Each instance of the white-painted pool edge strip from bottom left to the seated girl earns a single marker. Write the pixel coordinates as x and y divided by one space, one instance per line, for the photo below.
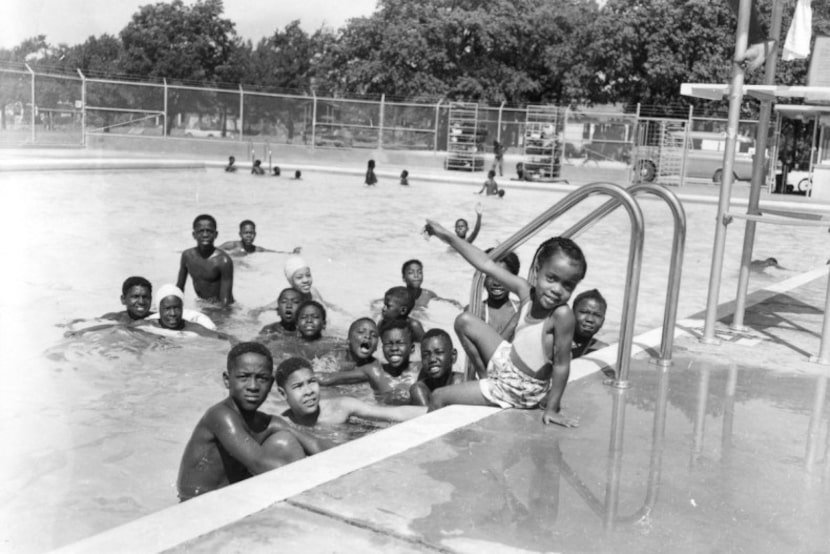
172 526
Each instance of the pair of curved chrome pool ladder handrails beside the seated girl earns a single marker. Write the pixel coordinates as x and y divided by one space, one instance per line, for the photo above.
624 197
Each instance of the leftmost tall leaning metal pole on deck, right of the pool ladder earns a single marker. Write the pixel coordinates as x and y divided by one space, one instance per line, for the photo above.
735 98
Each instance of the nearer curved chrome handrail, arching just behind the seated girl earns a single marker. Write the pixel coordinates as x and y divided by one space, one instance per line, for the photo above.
635 254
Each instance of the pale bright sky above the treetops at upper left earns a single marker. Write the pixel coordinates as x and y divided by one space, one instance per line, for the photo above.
72 21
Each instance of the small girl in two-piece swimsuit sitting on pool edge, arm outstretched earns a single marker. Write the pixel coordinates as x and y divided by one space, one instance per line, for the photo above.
533 369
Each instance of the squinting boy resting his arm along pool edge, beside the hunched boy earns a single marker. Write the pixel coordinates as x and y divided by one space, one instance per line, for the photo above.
299 386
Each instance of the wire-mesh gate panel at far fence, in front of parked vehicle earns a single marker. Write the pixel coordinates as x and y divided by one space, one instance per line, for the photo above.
659 150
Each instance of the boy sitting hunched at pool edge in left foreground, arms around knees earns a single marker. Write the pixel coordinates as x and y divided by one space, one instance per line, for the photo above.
234 440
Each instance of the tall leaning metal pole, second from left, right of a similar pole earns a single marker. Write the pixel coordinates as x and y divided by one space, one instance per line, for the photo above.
758 167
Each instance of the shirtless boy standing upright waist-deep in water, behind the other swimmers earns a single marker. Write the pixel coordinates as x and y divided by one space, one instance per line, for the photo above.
210 268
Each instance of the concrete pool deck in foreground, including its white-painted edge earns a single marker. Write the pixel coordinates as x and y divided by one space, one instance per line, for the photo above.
726 450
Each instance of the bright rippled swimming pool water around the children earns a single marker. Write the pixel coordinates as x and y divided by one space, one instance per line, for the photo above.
96 437
